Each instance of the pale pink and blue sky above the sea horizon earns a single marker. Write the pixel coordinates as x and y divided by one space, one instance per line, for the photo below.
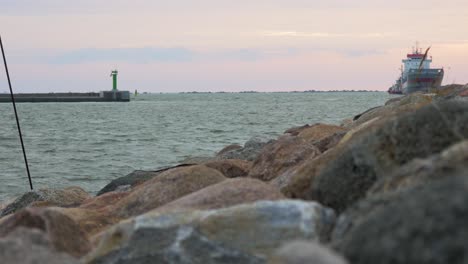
225 45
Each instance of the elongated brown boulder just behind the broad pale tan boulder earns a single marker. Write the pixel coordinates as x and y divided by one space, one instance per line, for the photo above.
168 186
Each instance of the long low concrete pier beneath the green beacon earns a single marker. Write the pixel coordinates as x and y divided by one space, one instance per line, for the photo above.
103 96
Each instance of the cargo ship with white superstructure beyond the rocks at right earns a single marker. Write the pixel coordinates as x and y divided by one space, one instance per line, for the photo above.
417 75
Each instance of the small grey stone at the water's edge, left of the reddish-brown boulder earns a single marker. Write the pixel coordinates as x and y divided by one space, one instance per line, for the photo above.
249 152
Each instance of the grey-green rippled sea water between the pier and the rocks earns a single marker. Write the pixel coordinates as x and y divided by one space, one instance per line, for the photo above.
89 144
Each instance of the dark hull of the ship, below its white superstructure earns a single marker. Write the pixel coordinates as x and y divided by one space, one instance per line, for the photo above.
426 80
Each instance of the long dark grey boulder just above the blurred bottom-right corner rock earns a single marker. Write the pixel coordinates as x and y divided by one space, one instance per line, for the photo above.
400 140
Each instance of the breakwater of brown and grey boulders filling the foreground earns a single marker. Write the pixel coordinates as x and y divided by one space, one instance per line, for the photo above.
389 185
